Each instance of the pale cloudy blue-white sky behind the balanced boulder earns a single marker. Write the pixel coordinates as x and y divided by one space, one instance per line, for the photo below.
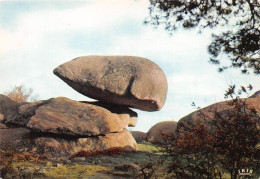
37 36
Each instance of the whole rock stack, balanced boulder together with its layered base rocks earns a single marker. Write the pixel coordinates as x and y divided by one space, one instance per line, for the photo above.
63 127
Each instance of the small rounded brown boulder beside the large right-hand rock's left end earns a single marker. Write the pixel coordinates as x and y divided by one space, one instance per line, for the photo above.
161 131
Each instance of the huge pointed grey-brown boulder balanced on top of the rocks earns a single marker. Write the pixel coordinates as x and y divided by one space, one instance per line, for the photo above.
126 80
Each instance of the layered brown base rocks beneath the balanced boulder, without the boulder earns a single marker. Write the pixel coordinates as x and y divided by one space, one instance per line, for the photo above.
61 127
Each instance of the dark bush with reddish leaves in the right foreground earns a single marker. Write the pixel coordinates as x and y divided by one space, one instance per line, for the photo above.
218 144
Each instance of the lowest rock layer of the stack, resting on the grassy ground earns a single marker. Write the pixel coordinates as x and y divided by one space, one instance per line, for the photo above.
23 140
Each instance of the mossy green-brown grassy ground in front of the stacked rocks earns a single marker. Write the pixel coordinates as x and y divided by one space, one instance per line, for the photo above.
29 166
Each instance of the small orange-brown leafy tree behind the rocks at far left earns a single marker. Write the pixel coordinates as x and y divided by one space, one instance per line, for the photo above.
21 94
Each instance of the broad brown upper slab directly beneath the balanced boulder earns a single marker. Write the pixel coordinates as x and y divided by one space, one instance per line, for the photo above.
64 116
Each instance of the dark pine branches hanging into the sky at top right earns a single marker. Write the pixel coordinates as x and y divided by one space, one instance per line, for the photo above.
238 24
